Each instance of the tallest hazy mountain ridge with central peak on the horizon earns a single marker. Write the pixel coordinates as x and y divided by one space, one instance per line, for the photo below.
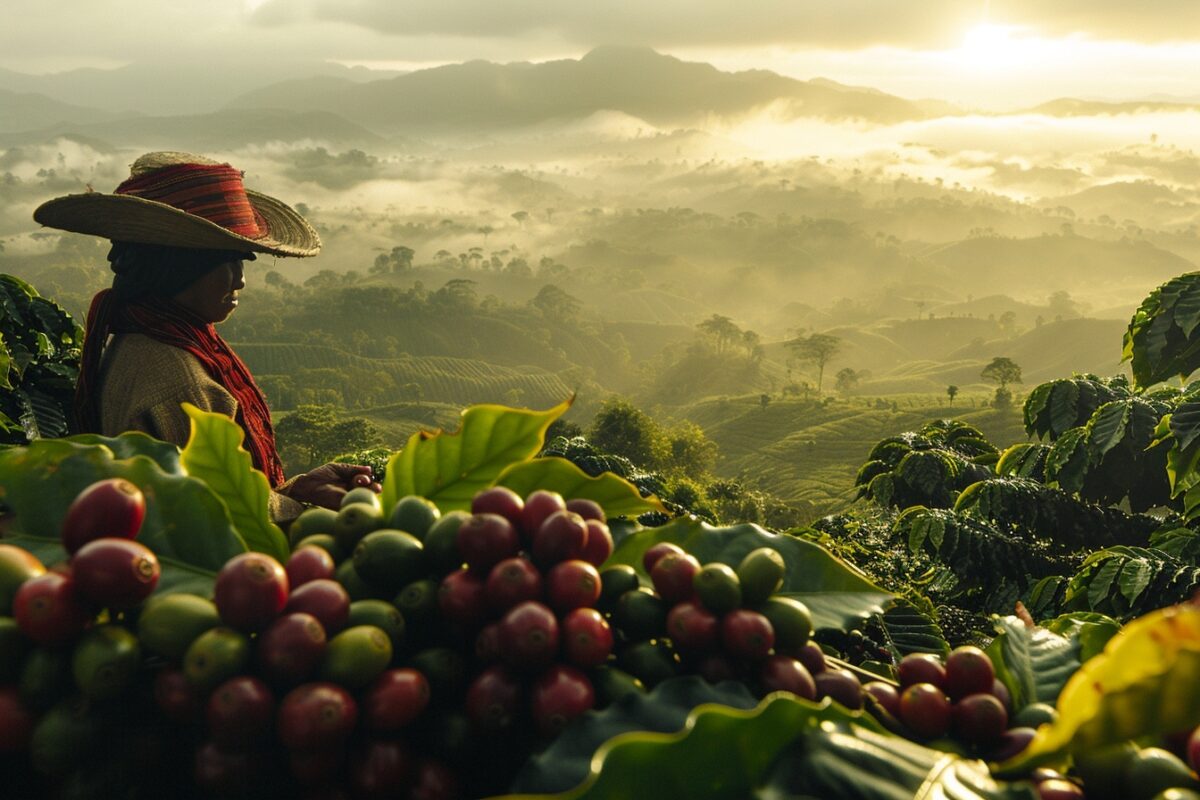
661 89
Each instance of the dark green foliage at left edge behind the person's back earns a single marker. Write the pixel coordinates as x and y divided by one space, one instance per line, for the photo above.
40 347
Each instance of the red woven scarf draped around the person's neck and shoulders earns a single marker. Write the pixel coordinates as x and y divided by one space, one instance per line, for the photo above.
170 323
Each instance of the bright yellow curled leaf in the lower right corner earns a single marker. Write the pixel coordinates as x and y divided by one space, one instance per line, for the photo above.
1145 683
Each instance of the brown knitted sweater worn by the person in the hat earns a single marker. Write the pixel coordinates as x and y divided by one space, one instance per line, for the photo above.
142 384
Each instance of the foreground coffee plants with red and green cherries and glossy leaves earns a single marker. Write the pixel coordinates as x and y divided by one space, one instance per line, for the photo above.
500 623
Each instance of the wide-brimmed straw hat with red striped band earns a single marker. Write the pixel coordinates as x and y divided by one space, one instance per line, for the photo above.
185 201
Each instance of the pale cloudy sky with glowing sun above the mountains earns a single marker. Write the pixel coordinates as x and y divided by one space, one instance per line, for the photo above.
988 55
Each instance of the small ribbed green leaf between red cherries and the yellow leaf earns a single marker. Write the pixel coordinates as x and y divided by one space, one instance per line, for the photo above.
1034 664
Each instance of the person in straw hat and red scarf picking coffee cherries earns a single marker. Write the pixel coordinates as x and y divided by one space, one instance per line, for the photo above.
183 227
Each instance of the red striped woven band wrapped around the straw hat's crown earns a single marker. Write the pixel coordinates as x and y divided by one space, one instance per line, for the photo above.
211 191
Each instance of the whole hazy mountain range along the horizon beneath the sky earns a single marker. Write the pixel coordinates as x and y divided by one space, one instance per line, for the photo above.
476 98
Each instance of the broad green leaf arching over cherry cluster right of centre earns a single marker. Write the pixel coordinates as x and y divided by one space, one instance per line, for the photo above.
836 593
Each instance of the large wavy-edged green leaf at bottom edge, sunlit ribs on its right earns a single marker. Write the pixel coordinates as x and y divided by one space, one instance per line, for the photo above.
784 748
